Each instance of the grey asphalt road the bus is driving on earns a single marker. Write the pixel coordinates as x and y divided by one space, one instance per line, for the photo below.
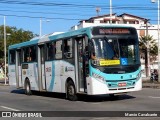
15 100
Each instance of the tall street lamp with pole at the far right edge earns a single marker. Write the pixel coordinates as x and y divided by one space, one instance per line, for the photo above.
153 1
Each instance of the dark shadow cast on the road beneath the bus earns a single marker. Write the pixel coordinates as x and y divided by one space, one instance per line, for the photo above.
83 98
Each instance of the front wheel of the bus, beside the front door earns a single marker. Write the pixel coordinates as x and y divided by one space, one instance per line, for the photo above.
71 91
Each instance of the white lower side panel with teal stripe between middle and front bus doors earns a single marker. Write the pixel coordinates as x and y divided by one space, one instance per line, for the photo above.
57 73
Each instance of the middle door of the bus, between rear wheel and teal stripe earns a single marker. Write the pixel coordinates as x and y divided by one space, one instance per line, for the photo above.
41 61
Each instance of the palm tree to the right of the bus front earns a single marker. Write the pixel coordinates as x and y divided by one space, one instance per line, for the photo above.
152 49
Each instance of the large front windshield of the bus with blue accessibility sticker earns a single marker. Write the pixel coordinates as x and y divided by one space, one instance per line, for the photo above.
116 48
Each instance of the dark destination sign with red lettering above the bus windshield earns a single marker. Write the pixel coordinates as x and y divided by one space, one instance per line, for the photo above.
111 31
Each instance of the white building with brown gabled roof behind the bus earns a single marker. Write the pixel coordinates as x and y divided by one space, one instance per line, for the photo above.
142 25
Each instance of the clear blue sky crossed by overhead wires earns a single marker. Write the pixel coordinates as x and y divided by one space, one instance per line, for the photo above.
63 14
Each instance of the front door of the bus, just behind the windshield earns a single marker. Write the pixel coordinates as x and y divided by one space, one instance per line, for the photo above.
81 66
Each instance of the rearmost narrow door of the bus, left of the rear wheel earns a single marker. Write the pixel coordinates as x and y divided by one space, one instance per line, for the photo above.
18 68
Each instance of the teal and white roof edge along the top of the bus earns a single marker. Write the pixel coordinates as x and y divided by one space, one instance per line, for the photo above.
61 35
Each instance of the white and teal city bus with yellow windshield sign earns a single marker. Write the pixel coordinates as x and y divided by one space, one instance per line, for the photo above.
95 60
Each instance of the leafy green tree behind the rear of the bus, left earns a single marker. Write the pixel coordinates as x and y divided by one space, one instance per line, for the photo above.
15 36
